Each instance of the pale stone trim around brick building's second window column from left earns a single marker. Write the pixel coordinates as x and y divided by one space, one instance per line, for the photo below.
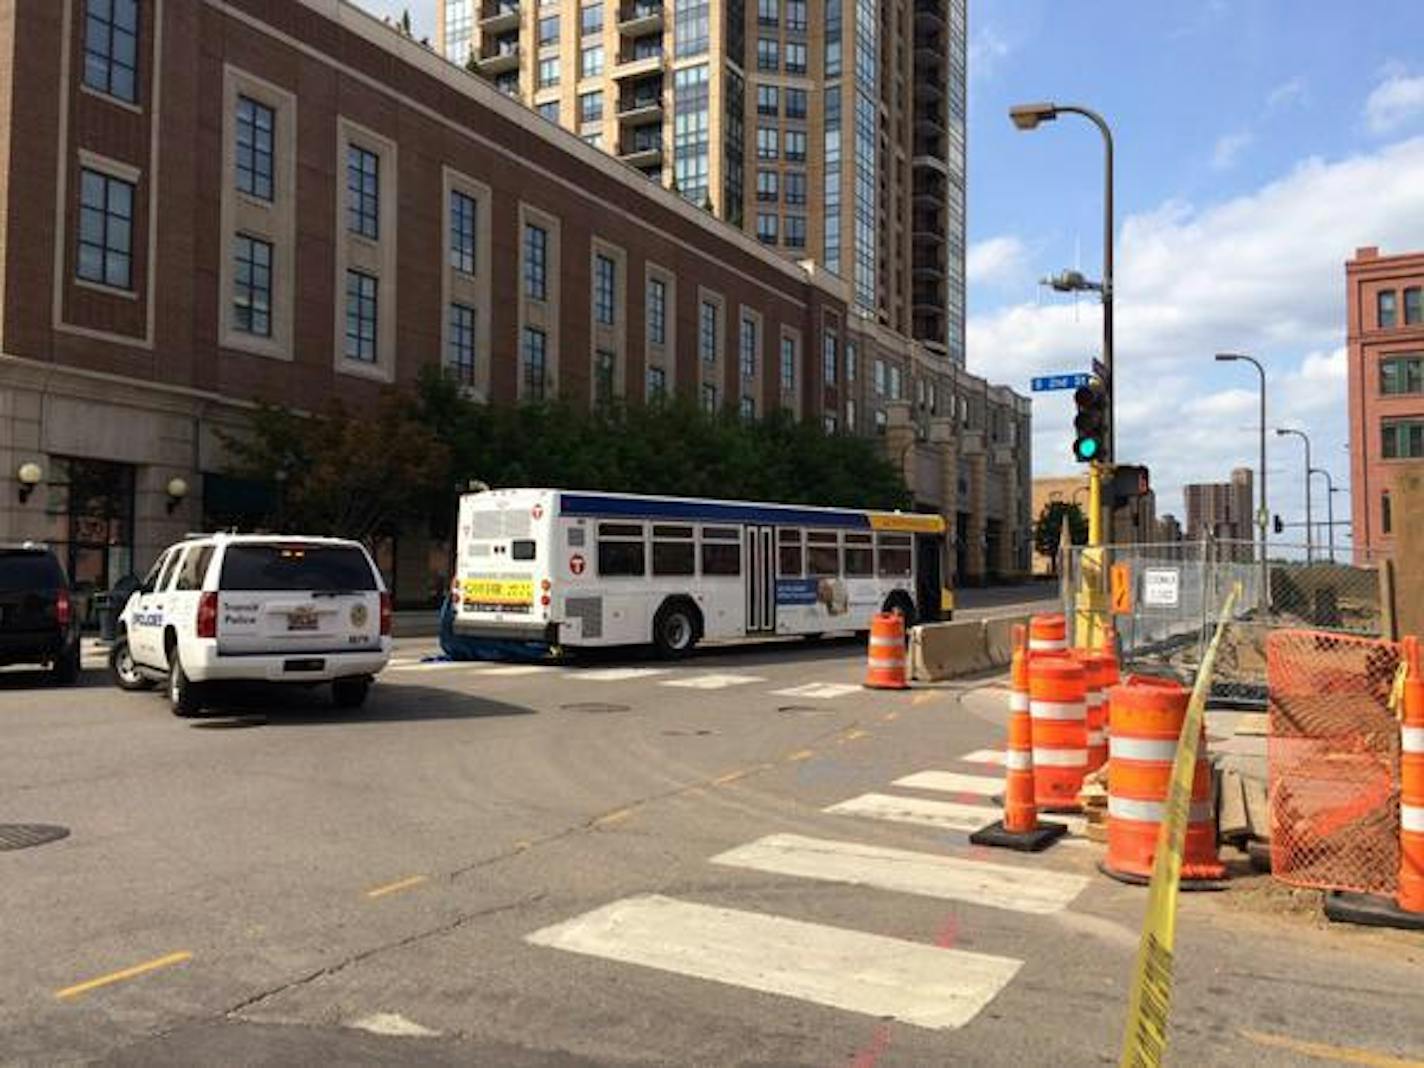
271 221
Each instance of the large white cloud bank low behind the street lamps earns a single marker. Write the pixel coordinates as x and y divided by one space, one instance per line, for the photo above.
1260 274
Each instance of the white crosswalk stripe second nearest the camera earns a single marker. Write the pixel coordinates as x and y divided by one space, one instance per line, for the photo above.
998 886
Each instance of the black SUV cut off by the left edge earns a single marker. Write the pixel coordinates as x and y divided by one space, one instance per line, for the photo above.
38 619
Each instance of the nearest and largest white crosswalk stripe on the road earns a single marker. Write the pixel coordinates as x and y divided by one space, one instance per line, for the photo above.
862 973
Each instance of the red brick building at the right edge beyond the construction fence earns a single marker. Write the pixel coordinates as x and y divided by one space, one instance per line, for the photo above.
1385 298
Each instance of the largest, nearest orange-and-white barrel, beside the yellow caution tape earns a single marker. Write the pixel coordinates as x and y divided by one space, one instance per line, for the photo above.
1147 724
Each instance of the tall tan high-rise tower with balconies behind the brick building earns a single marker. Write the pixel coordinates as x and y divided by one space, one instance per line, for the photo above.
831 130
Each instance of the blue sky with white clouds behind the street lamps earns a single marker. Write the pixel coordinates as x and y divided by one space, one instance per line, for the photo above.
1258 142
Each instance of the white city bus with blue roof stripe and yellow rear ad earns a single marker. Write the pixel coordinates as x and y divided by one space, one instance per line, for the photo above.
576 569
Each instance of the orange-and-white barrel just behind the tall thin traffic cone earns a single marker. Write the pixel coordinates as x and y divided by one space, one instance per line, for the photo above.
1059 710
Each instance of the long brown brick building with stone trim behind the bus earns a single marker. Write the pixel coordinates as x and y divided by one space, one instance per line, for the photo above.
211 203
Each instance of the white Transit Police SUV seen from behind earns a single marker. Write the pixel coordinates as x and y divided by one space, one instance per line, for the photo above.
254 607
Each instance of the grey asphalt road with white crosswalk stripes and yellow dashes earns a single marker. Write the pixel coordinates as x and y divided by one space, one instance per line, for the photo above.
612 864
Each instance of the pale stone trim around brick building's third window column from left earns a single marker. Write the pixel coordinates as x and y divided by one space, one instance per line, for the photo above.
370 257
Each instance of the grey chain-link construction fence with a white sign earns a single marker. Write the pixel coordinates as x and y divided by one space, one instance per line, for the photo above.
1164 600
